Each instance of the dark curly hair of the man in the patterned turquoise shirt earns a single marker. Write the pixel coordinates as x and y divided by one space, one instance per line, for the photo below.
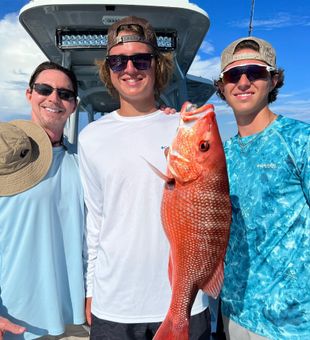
272 96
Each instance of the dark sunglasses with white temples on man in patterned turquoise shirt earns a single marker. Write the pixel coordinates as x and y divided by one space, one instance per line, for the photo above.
252 71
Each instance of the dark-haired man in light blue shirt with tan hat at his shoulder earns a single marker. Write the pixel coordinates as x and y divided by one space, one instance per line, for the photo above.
41 216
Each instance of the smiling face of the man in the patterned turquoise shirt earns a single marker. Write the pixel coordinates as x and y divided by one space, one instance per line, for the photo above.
248 97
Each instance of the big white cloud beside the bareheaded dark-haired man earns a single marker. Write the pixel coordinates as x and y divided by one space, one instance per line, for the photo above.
18 58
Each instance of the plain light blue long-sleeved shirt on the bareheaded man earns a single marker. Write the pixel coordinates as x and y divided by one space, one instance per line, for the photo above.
41 237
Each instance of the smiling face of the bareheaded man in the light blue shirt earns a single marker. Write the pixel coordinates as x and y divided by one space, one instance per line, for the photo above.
50 111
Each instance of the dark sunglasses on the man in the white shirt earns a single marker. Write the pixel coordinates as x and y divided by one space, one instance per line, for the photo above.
141 61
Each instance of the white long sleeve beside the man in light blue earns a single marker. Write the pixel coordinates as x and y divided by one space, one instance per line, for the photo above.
93 211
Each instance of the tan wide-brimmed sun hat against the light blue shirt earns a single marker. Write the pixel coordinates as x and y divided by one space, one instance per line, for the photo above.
25 156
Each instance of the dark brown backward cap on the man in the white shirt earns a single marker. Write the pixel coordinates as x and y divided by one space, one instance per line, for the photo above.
149 36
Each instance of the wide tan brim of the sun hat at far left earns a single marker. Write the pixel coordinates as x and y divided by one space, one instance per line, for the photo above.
41 159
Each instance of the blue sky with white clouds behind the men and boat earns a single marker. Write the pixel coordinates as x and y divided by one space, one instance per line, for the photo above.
284 23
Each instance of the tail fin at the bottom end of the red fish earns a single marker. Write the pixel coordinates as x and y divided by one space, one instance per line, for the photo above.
170 331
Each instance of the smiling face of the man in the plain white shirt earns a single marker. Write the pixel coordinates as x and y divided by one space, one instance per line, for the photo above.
134 86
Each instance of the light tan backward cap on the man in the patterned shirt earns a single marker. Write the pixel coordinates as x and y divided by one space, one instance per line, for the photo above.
266 53
